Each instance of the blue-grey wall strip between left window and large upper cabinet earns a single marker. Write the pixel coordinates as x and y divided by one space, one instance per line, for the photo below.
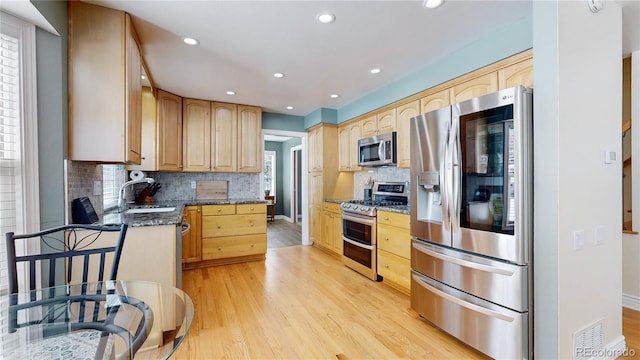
51 73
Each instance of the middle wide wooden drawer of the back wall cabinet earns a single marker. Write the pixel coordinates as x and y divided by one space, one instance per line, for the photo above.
230 225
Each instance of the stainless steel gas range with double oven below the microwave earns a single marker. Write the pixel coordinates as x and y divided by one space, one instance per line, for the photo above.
359 239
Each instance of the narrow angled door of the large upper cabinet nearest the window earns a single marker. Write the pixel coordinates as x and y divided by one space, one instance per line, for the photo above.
133 89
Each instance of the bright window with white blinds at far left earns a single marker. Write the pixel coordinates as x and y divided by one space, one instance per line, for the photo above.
19 195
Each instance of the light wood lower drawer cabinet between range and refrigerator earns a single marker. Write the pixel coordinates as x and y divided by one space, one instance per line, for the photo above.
394 250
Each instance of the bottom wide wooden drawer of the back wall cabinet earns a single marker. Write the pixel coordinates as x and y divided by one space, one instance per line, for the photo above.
234 246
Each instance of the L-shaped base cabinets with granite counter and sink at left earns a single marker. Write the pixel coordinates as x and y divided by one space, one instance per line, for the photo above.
153 248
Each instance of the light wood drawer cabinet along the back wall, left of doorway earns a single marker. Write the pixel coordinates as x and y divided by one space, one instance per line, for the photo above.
231 233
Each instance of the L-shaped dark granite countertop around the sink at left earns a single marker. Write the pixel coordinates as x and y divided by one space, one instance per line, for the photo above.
164 218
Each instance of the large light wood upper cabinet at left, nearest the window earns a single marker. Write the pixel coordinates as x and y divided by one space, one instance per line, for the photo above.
104 85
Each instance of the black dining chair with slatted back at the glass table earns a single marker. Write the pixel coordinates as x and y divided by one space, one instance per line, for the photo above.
74 253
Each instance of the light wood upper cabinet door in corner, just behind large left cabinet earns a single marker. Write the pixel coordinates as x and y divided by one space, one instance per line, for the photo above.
149 130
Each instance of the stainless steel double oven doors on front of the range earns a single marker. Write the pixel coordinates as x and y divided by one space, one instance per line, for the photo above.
359 244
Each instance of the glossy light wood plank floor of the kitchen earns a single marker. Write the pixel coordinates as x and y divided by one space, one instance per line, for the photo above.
302 303
